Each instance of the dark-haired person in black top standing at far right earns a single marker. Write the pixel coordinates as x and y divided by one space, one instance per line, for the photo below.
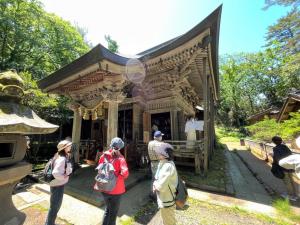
281 151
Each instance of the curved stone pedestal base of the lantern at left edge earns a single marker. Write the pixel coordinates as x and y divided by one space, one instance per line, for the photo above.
9 176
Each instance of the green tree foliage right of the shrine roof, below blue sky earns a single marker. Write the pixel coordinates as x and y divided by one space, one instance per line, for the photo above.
253 82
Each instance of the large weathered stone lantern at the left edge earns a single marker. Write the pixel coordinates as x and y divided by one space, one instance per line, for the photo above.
16 120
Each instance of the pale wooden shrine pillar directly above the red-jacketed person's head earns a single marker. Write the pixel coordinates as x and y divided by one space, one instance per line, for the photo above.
112 121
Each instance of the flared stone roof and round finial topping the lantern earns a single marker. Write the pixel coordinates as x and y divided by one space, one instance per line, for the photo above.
16 118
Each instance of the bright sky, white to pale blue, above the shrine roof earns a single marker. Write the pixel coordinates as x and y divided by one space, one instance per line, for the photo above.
139 24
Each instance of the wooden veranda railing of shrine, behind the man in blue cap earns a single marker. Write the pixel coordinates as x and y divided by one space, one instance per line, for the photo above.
181 152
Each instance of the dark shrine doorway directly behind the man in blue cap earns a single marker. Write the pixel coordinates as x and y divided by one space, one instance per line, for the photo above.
163 122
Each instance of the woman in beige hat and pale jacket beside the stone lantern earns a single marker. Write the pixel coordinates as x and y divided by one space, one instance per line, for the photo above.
61 172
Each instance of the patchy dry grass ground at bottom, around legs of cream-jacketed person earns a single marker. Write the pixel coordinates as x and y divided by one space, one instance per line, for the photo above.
205 213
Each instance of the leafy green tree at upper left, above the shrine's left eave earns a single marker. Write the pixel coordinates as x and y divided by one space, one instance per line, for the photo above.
36 41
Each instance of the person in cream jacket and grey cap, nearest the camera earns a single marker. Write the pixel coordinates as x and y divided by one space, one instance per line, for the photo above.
166 181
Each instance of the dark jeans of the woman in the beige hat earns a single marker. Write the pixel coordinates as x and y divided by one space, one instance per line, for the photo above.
56 198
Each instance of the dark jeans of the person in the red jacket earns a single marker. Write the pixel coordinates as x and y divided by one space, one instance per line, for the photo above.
112 203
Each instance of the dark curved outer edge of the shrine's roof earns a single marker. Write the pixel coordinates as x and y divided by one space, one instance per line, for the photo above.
99 52
